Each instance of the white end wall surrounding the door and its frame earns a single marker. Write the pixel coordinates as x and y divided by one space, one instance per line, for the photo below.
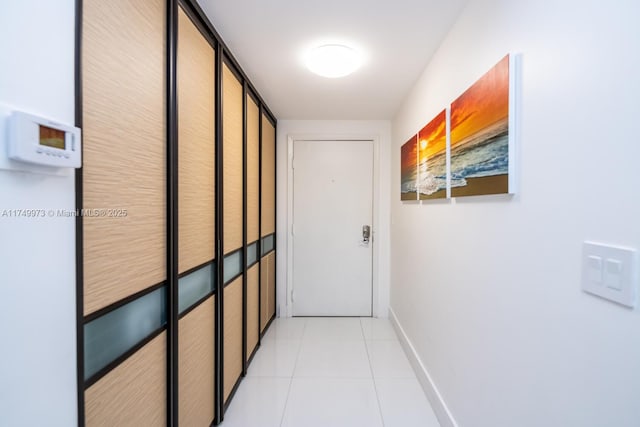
379 130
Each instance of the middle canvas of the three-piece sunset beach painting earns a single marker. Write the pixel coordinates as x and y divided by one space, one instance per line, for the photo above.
432 159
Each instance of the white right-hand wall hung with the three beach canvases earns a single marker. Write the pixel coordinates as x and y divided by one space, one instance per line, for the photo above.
488 289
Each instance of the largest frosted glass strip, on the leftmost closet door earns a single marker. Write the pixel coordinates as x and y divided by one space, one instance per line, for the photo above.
110 336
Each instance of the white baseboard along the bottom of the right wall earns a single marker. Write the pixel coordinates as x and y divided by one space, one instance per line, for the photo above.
435 398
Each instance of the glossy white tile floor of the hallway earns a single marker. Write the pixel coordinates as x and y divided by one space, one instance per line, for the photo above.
338 372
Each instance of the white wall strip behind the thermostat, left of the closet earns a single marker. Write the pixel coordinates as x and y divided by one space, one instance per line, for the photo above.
37 256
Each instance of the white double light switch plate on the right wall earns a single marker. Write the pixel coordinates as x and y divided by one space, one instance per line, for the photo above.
610 272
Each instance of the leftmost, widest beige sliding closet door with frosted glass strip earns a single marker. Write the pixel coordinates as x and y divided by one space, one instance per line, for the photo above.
124 244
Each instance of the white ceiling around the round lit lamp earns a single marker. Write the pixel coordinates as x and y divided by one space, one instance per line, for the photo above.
269 38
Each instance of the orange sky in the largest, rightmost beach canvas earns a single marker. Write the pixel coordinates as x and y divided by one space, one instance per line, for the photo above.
483 104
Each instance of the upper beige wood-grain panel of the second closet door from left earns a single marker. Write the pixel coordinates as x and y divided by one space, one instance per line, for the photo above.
196 145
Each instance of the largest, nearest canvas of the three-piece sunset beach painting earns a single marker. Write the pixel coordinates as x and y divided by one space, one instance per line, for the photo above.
480 135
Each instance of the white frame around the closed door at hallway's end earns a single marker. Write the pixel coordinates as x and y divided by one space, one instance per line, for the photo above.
287 310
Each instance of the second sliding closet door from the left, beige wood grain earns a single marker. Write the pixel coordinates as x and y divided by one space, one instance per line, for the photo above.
196 224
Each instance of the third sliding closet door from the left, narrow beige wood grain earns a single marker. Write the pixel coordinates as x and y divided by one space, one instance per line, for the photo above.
233 224
